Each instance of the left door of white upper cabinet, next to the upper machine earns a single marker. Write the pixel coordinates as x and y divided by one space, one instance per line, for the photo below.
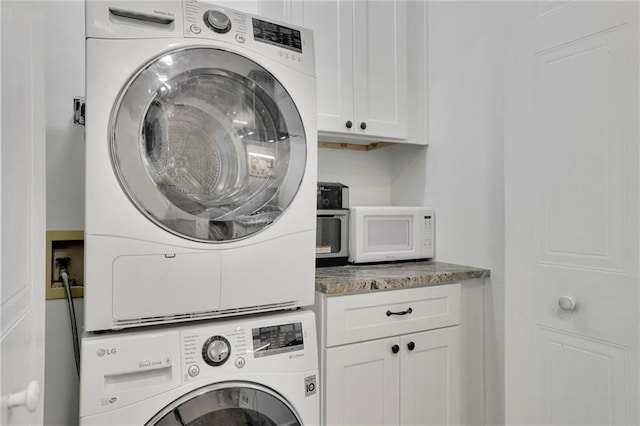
331 22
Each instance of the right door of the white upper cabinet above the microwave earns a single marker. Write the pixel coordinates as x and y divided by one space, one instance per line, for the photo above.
380 68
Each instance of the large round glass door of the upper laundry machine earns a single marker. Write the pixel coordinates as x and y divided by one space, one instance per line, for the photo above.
208 144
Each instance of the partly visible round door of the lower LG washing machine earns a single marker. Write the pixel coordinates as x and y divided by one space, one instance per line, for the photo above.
228 404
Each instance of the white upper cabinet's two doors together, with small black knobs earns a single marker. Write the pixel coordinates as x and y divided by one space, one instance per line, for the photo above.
361 57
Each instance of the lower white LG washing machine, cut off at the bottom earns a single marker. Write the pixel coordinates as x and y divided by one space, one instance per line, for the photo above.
257 370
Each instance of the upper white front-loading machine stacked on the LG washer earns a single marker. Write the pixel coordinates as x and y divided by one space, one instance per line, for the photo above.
200 163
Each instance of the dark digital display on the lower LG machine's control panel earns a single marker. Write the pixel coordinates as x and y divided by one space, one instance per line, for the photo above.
277 339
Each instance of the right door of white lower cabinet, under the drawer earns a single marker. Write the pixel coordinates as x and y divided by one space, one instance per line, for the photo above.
430 377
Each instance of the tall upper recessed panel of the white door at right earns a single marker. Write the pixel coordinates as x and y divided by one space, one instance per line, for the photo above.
580 107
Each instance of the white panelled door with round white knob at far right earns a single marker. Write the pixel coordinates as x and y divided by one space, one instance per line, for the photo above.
571 196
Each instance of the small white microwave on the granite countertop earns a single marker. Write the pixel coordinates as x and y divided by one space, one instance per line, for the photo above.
383 234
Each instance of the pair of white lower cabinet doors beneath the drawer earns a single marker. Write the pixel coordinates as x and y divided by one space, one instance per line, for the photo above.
408 380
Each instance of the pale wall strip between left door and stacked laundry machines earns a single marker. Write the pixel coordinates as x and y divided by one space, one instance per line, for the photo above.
64 62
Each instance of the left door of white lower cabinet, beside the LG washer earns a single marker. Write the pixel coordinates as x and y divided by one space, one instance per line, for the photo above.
361 386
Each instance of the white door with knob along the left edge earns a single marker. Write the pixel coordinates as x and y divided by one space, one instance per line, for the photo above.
22 230
